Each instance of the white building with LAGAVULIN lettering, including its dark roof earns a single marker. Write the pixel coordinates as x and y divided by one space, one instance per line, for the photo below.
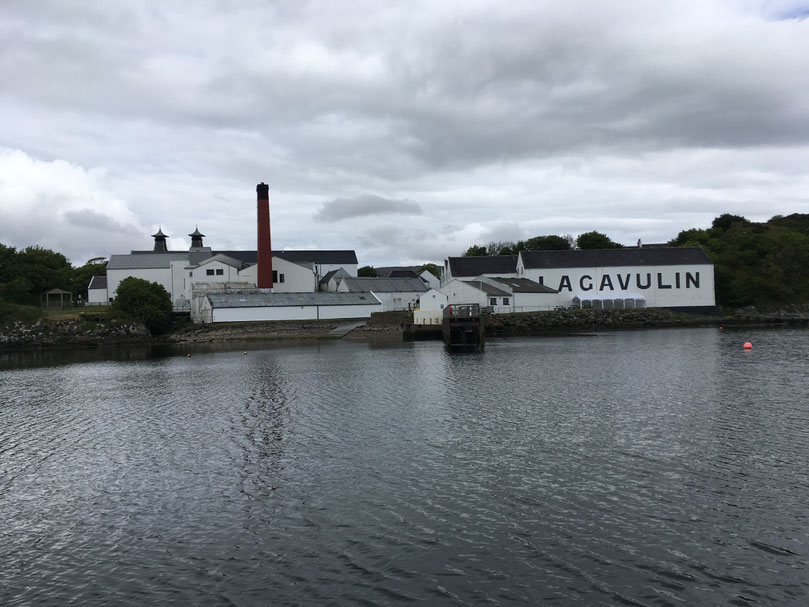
657 277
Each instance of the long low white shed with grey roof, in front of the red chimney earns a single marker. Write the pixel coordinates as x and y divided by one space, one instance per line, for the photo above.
258 306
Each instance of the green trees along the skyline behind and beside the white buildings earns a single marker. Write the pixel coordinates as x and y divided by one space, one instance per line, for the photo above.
761 264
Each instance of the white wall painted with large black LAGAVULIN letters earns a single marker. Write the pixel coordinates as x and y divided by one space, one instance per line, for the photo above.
662 286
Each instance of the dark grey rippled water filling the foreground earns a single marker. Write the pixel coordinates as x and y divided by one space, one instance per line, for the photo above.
644 468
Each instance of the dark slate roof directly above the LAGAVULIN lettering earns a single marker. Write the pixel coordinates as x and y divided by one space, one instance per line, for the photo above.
594 258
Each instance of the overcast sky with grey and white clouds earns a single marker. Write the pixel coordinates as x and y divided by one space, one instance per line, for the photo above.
406 131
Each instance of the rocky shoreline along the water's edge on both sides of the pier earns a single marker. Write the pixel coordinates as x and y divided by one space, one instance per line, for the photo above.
84 333
